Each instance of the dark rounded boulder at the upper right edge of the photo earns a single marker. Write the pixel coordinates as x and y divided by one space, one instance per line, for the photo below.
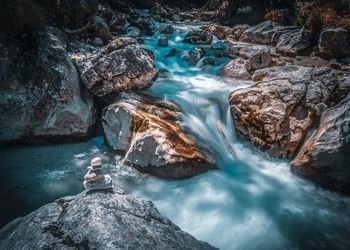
334 43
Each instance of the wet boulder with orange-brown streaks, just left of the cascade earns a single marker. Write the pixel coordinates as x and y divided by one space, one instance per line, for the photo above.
147 131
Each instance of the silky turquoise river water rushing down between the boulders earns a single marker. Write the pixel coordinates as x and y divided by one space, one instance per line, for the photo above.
254 202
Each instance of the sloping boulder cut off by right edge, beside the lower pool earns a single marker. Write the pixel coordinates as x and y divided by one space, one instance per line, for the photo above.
325 156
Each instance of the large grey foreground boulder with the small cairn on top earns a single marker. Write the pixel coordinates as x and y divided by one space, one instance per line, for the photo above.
96 220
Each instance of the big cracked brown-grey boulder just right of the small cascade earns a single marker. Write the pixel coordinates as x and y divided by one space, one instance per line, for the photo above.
278 110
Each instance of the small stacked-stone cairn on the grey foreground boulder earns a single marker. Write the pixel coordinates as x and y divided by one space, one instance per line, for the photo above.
95 179
